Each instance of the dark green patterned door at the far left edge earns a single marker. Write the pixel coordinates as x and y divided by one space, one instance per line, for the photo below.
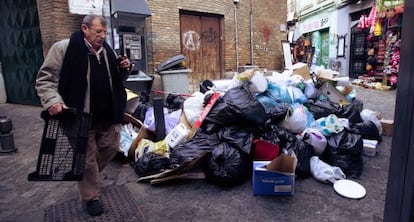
21 52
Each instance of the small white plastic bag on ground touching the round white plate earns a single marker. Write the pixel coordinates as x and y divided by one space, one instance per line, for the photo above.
324 172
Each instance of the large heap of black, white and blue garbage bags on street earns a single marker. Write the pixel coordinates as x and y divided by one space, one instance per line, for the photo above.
255 118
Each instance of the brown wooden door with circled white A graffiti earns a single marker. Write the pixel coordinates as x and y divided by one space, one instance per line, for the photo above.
201 43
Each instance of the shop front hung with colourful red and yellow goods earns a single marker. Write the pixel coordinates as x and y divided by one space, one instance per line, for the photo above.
382 30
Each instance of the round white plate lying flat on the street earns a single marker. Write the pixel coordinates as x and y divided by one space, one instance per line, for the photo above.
349 189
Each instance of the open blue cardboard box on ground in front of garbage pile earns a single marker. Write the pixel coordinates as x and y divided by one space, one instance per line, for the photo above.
276 177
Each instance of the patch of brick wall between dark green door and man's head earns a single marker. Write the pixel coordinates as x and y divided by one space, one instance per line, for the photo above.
56 22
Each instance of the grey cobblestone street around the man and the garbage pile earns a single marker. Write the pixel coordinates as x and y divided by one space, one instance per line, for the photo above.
192 200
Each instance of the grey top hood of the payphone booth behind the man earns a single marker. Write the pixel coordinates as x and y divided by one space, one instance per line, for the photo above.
139 7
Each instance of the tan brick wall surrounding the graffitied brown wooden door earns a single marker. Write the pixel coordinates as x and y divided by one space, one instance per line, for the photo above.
163 31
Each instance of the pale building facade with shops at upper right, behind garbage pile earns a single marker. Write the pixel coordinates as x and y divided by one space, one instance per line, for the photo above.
342 35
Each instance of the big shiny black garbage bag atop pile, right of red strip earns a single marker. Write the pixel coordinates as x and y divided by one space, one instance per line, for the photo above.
238 106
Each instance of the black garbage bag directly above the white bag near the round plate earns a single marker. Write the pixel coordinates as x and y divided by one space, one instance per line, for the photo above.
344 150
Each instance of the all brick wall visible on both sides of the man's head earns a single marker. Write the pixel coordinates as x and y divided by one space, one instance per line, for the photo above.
163 31
